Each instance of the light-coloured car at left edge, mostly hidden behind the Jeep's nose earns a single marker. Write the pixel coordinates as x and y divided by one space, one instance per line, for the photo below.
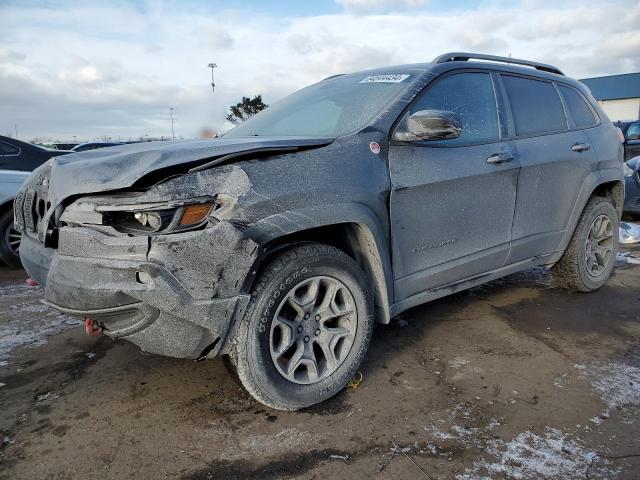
10 183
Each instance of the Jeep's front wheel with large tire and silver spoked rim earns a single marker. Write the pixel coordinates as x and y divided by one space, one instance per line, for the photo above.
306 329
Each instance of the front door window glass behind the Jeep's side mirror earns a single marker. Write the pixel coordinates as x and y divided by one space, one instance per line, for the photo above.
472 97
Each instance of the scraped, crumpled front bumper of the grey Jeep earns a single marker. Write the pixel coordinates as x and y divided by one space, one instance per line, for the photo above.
175 295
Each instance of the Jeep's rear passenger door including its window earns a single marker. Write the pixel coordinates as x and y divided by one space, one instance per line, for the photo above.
555 158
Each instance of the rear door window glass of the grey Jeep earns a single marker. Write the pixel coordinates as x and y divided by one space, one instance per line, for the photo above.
535 105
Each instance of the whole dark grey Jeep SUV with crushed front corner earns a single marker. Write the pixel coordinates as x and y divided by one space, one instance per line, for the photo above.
356 198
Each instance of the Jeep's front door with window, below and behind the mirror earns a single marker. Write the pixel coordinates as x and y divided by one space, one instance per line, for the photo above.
452 201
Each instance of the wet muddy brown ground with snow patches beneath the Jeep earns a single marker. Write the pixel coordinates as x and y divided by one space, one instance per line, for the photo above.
515 379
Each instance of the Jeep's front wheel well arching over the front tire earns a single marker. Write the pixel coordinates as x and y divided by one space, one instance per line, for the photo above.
354 239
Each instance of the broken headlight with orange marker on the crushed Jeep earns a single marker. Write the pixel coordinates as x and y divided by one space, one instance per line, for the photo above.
142 218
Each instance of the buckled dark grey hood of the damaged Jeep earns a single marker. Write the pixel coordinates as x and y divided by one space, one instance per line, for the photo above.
121 166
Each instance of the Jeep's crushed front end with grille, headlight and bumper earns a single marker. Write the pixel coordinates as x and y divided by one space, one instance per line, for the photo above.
160 266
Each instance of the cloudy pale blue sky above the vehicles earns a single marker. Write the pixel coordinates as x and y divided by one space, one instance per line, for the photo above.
72 69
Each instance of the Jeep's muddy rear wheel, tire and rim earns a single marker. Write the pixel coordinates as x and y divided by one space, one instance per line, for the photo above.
590 256
